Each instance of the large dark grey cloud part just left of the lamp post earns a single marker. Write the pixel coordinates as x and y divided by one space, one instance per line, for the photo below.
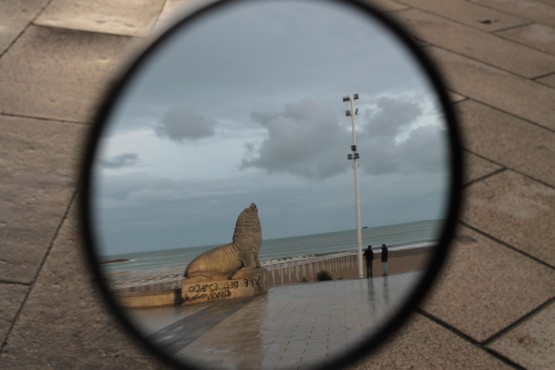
303 139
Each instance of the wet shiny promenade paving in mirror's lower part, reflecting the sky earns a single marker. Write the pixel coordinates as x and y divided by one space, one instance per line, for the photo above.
294 326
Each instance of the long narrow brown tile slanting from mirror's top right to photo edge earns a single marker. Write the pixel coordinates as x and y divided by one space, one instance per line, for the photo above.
477 44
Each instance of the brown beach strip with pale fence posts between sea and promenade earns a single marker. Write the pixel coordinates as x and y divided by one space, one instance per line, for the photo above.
344 267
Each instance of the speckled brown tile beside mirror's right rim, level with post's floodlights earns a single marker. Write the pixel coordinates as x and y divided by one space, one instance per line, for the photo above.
509 141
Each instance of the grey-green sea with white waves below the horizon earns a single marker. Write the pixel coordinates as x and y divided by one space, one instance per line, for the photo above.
398 236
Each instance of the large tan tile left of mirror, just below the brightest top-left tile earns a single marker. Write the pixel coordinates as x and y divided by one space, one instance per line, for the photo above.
59 74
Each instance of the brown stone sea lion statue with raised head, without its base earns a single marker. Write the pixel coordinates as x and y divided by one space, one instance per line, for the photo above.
236 260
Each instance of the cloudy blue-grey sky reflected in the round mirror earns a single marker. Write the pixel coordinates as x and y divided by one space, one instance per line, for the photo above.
245 105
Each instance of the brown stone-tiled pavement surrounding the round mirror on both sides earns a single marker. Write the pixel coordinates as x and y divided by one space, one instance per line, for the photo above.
494 306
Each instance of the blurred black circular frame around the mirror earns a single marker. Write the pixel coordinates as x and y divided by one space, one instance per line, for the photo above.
371 342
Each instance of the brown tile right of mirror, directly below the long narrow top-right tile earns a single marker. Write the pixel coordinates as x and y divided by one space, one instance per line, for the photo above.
496 88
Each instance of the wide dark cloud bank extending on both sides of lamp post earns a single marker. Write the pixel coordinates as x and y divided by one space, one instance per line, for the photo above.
306 139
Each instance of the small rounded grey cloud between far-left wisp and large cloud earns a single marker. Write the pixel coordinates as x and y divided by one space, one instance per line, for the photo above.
180 124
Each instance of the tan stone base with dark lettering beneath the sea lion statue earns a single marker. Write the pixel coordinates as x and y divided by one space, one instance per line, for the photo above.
245 283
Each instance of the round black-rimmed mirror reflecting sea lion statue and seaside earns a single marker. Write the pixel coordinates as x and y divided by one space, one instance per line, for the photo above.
272 185
